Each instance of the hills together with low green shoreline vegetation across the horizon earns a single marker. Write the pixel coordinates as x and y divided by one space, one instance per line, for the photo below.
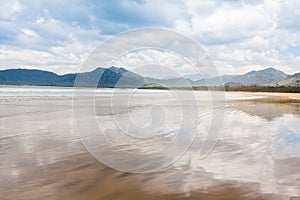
120 77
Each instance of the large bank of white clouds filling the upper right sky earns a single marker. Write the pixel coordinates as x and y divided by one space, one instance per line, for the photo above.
240 37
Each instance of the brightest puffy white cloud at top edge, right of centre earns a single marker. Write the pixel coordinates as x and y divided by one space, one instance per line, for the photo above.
226 22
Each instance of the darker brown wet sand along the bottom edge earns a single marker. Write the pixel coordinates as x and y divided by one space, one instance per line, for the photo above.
81 177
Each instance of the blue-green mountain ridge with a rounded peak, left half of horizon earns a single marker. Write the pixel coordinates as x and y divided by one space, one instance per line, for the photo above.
109 77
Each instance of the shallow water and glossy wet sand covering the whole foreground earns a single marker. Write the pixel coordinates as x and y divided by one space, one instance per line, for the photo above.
42 156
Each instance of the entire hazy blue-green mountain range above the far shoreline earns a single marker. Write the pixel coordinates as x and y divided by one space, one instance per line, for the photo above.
121 77
